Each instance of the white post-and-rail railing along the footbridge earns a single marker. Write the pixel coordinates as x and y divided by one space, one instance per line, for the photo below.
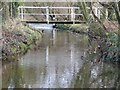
72 13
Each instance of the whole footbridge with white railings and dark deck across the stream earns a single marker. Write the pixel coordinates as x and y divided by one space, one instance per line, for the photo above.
57 15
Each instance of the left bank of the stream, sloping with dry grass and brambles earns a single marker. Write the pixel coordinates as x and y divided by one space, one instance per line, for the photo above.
17 39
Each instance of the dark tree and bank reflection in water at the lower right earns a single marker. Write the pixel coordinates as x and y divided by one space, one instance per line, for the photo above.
101 75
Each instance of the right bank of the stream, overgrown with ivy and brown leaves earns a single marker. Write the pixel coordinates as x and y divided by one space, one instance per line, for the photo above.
102 44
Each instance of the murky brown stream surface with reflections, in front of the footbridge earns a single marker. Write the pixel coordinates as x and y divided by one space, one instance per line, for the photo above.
57 63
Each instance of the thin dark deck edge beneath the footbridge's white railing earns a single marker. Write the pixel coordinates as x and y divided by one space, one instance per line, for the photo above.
56 22
